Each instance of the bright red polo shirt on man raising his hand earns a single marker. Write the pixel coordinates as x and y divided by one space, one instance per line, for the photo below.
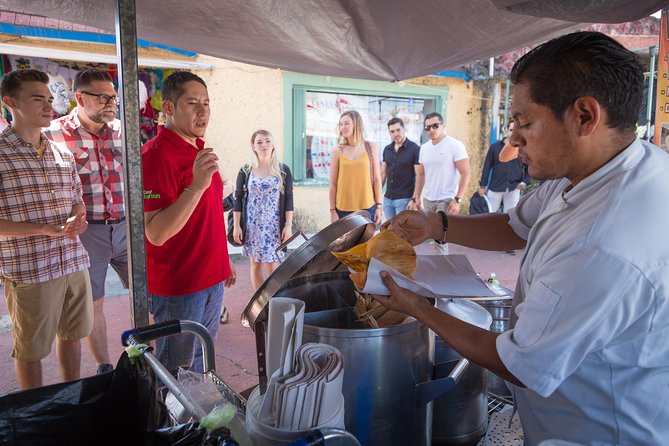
197 256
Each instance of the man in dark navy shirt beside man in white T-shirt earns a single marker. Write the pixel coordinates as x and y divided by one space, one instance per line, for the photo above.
399 168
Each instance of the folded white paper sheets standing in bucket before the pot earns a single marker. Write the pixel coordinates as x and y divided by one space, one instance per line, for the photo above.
305 384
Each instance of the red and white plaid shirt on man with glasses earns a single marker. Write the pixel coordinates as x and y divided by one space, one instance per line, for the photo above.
99 163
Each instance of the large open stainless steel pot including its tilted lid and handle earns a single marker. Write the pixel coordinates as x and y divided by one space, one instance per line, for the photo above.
388 371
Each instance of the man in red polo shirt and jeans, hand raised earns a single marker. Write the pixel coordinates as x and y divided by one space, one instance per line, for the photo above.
186 249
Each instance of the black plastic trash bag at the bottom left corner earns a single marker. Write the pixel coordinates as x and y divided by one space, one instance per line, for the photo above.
116 408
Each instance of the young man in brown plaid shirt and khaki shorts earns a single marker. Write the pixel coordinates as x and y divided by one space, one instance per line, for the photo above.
42 263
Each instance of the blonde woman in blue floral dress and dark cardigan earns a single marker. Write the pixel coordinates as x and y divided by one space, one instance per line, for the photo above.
268 185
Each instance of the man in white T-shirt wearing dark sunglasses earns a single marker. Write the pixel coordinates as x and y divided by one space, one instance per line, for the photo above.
443 171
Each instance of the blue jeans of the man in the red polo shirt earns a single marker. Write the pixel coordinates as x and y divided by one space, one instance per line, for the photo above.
184 350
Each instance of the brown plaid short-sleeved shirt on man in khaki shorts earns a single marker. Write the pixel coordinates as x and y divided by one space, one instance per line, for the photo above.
38 191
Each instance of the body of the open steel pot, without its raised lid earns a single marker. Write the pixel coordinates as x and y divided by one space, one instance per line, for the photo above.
382 366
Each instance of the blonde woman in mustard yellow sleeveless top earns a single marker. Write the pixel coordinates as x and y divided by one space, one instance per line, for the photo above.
355 177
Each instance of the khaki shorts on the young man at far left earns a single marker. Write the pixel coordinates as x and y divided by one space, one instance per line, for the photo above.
40 311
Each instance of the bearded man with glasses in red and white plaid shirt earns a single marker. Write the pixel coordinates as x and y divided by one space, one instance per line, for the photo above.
93 134
